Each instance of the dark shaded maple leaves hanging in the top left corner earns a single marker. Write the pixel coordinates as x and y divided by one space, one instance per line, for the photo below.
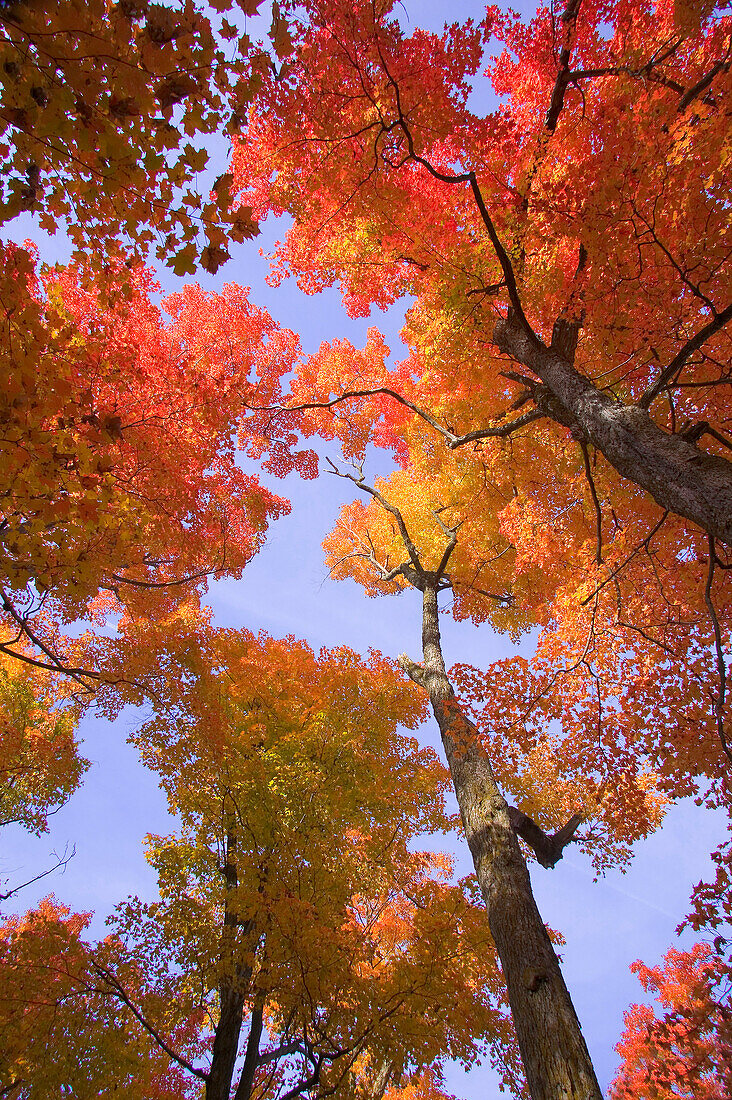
82 94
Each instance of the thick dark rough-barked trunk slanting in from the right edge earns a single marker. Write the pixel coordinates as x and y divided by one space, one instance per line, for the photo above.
679 476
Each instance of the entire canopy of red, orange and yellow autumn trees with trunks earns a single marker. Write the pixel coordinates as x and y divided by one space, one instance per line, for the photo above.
549 200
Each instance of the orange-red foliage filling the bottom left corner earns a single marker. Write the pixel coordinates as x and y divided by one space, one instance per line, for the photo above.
53 997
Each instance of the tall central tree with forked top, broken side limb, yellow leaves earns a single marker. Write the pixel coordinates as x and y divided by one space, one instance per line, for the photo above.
554 1053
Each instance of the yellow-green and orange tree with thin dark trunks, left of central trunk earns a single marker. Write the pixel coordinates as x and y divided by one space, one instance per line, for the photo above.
300 943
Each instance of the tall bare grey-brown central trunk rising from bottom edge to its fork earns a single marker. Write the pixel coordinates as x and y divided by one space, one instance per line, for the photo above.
555 1057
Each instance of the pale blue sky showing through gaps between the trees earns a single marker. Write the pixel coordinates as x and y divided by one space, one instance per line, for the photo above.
287 590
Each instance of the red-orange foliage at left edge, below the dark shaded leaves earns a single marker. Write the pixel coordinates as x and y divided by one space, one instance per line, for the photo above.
121 483
